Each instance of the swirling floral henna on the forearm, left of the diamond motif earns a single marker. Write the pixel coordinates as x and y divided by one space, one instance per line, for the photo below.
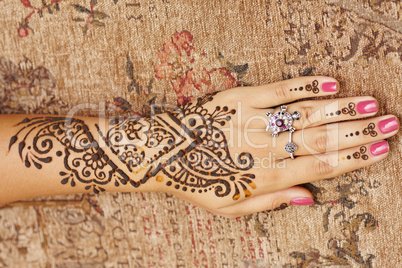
83 159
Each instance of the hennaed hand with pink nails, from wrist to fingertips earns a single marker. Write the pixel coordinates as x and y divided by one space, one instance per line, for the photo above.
231 166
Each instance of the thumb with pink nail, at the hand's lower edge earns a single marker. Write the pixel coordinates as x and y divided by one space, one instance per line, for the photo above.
296 195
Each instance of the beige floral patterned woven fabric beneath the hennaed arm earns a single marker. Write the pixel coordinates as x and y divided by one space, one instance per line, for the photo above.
99 57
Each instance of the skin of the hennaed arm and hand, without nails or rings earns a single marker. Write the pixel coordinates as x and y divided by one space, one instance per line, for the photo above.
263 178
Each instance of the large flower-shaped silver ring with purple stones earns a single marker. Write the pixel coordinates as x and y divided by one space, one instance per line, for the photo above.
281 121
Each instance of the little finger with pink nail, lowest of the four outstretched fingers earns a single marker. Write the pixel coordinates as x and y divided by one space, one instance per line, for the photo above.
310 168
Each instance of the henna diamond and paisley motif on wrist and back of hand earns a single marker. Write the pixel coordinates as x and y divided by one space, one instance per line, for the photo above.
195 146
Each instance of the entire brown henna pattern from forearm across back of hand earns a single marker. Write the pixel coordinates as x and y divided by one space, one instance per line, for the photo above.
186 145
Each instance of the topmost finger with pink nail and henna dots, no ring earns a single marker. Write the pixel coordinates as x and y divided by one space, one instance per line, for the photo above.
275 94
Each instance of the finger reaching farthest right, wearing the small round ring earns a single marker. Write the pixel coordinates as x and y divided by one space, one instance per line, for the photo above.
326 138
